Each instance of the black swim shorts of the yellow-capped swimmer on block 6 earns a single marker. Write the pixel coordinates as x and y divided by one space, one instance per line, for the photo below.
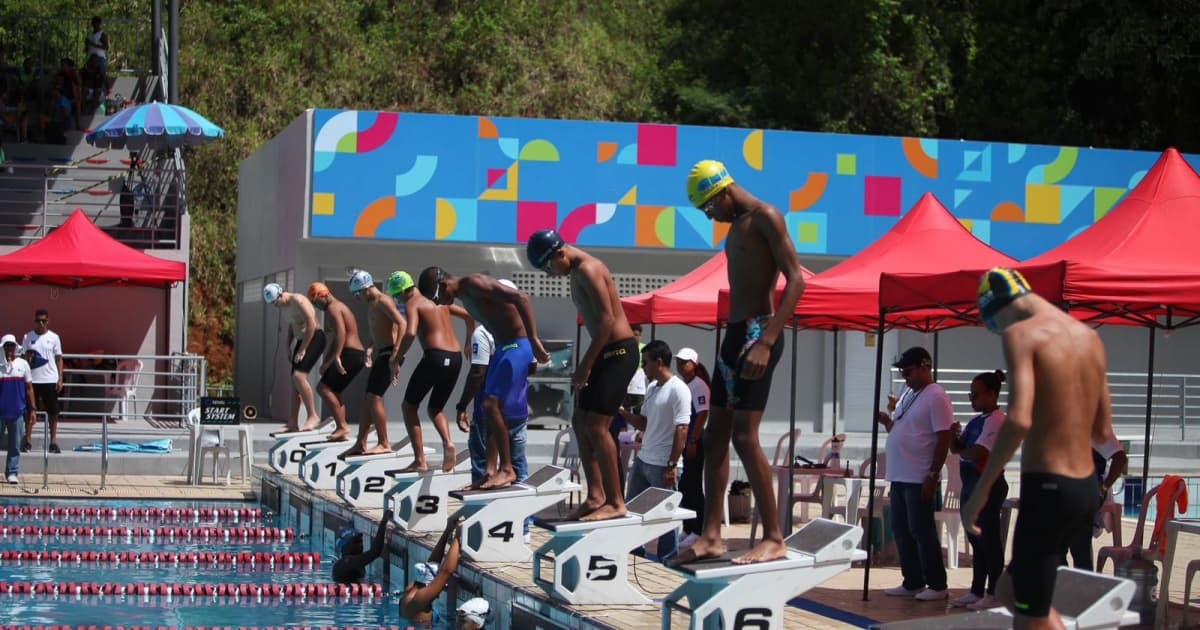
733 392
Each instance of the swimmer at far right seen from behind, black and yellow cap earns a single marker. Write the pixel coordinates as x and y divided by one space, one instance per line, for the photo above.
1059 406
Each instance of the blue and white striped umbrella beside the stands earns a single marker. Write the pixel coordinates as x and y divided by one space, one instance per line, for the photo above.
155 125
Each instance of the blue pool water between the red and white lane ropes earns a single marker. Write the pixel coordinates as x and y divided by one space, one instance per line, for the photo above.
179 611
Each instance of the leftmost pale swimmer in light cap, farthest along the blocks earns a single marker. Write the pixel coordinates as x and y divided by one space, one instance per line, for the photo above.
307 341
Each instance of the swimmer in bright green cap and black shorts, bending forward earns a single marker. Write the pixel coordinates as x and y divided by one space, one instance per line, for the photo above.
439 370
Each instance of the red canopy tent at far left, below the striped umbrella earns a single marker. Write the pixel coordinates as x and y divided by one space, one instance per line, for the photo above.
79 254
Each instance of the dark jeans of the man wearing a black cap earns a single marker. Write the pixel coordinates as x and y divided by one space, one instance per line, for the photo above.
916 535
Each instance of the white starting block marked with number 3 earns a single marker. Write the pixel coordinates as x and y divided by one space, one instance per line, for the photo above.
421 502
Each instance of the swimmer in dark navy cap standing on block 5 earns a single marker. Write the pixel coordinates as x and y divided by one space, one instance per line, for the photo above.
604 373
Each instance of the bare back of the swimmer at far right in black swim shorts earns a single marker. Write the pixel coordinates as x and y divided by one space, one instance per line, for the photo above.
1064 361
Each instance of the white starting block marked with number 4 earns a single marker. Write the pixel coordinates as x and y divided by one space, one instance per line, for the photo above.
494 519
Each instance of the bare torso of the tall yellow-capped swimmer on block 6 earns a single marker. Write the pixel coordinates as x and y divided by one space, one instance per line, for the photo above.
753 268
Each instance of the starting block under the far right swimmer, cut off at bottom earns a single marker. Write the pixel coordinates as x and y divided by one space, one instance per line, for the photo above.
1085 601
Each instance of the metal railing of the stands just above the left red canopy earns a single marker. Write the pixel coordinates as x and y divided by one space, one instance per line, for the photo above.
139 202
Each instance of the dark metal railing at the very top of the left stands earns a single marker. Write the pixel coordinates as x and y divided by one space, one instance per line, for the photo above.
47 39
